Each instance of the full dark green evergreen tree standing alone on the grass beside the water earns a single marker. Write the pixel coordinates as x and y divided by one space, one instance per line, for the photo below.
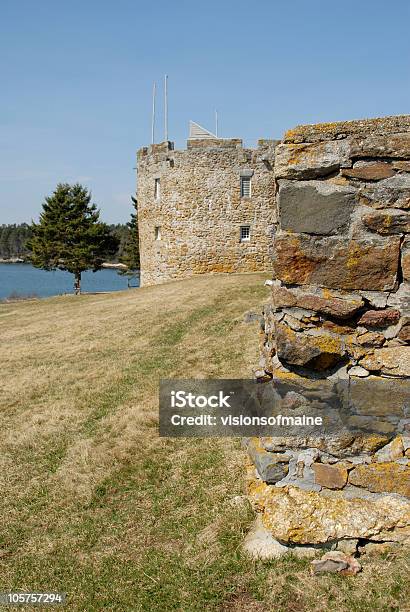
69 235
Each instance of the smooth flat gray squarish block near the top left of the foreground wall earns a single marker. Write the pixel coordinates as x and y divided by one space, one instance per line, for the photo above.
315 207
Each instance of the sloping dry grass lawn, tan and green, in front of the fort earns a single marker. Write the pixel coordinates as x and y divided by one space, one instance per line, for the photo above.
95 504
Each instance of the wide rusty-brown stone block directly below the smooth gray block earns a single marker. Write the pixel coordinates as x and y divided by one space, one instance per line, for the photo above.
339 263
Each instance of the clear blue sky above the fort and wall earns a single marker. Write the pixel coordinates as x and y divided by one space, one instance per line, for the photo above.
77 79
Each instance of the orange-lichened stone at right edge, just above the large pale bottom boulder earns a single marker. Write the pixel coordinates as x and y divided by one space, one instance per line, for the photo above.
382 477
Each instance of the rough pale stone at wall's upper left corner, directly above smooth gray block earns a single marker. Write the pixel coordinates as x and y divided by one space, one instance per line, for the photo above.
311 160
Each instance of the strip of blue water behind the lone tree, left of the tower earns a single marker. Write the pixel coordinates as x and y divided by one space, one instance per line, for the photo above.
25 280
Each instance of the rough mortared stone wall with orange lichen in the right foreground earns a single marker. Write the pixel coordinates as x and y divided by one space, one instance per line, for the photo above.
340 312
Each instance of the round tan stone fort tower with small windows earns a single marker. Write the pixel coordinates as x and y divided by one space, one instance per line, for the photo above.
209 208
